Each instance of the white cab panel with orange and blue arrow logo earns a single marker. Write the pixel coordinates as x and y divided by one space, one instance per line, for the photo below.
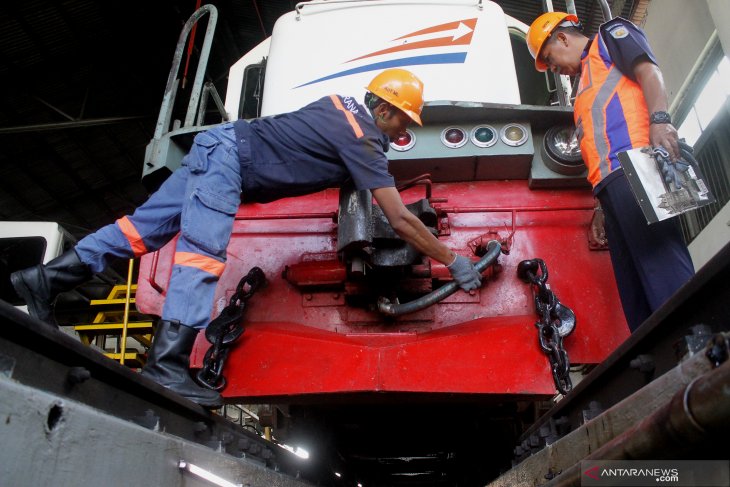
461 52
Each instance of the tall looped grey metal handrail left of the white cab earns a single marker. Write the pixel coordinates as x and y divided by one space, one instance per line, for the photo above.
168 100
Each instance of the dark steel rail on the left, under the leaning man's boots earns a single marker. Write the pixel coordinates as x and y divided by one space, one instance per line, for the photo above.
42 357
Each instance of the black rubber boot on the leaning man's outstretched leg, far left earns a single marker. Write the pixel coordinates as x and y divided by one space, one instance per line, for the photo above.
41 284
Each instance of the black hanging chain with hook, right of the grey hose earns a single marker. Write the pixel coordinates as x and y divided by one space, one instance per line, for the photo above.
556 321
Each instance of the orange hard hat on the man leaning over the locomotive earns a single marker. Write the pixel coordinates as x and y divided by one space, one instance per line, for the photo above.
400 88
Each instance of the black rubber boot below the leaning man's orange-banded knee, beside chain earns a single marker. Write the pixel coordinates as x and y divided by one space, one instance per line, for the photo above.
168 362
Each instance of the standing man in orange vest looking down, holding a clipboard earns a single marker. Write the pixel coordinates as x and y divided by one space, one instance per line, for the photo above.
621 104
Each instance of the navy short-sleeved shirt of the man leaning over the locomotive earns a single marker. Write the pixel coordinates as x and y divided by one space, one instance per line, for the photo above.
319 146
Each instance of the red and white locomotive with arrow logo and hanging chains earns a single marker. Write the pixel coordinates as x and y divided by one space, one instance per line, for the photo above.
357 348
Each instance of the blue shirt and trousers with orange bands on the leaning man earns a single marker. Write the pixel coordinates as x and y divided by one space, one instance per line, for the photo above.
319 146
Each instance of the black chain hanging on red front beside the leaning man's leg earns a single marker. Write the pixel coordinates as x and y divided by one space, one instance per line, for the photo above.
225 329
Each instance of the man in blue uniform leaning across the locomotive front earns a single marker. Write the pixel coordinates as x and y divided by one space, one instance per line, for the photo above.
322 145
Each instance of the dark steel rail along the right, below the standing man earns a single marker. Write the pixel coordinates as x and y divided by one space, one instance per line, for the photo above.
668 334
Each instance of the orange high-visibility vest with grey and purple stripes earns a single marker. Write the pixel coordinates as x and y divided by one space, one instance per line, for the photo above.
611 111
